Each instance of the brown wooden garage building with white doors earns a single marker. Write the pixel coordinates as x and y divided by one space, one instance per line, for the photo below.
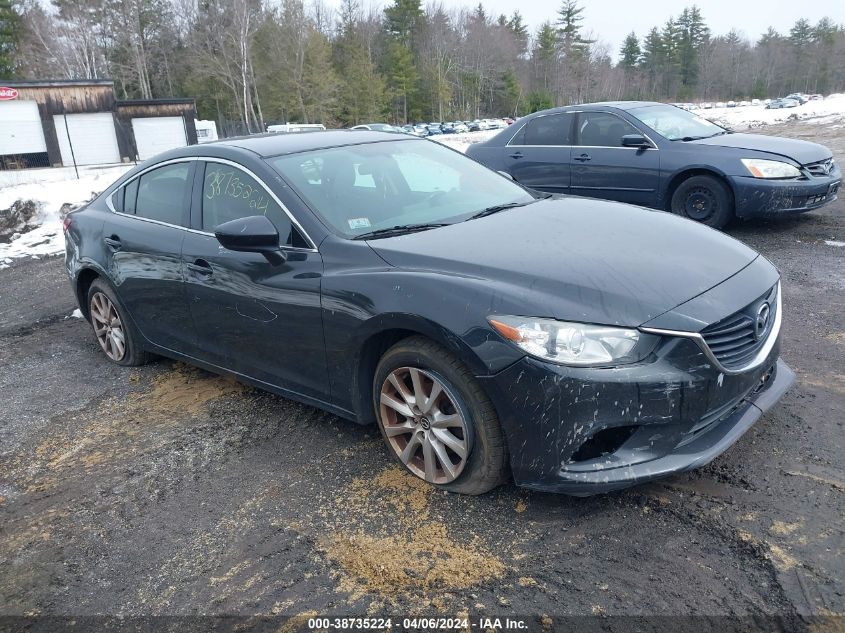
55 123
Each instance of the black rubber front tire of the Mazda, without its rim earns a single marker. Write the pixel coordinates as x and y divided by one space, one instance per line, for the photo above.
486 465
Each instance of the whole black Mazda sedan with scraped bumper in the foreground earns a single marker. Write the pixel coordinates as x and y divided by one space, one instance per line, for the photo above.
581 345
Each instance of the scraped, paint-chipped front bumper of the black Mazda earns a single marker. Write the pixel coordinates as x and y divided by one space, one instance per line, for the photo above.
588 431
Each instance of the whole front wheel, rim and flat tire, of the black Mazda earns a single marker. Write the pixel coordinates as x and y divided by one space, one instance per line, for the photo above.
437 420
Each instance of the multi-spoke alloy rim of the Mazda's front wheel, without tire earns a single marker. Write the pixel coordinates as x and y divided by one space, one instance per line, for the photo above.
424 426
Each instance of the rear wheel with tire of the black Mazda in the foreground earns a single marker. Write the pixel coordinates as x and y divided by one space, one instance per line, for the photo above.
115 333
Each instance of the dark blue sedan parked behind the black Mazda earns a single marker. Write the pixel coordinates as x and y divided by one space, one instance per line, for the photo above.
663 157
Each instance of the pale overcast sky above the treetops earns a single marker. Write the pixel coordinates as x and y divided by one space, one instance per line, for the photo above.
611 20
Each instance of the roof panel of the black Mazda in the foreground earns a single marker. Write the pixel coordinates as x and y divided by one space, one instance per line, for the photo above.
291 143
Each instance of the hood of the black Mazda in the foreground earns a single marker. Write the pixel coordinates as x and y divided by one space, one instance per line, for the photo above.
575 259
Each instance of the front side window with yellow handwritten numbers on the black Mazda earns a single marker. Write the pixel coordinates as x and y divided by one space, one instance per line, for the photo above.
230 193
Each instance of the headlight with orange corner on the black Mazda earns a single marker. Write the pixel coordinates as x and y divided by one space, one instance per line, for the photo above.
578 344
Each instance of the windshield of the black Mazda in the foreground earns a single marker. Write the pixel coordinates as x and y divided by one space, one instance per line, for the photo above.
359 189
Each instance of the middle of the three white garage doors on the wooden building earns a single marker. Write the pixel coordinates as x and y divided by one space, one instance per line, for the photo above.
92 136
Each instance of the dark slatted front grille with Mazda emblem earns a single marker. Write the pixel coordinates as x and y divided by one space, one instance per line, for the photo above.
735 340
